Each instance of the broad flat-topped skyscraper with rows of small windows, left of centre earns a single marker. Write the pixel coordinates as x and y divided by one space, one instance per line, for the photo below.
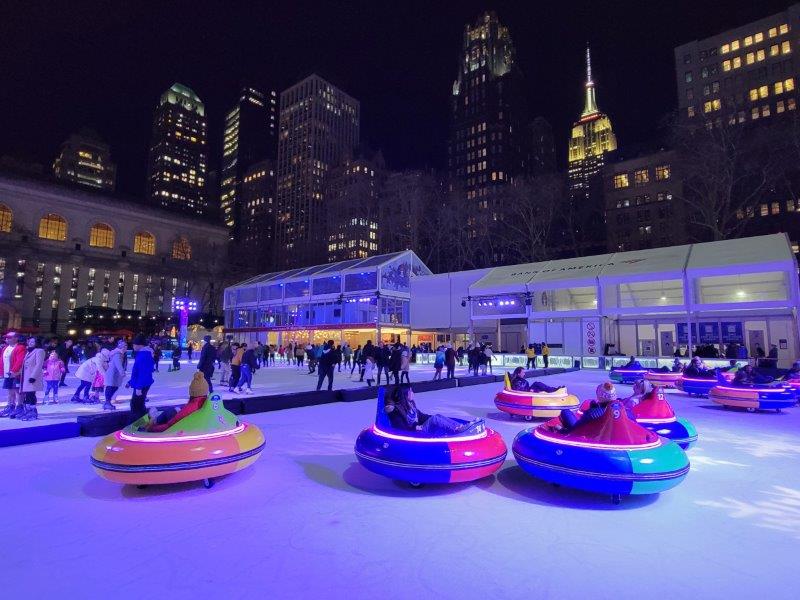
319 129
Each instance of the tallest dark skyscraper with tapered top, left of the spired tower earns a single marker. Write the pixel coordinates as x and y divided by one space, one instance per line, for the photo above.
490 139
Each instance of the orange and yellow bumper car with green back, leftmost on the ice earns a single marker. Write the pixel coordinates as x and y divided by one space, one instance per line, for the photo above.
208 443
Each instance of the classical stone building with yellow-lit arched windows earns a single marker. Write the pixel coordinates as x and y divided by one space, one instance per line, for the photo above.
63 249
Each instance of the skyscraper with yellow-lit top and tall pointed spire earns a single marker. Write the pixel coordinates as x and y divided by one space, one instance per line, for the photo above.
591 141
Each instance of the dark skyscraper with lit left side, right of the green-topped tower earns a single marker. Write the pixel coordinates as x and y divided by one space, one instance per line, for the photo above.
250 137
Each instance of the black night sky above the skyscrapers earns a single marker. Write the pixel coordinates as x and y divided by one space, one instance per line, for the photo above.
67 65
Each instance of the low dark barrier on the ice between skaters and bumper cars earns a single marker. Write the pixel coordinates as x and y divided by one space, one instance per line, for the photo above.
105 423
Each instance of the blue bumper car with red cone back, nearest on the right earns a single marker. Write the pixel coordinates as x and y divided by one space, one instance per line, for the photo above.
611 455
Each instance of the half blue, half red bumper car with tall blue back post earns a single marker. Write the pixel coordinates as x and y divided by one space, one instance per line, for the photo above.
415 457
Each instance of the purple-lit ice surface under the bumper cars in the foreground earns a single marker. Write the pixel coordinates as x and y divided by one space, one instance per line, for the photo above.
308 521
